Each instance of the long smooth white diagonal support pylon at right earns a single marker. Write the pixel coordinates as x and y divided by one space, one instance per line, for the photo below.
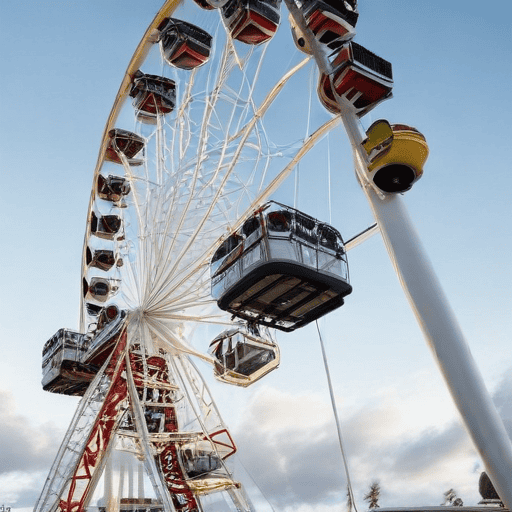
429 303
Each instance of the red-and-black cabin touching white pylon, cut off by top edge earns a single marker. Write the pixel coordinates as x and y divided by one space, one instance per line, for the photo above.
331 21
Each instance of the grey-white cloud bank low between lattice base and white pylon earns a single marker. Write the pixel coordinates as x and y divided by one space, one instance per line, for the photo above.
289 443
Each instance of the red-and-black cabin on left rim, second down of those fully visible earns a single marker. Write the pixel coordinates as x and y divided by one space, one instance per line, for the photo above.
153 96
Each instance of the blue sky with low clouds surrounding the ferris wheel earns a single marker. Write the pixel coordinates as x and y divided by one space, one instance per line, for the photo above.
62 65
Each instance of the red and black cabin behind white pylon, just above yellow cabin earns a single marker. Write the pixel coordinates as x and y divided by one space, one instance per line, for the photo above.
360 76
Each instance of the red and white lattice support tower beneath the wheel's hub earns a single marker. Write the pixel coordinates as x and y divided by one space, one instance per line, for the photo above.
150 400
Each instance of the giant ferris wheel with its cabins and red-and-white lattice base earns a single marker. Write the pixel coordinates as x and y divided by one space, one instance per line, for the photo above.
183 231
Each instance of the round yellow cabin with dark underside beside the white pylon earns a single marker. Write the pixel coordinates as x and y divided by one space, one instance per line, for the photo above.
396 155
